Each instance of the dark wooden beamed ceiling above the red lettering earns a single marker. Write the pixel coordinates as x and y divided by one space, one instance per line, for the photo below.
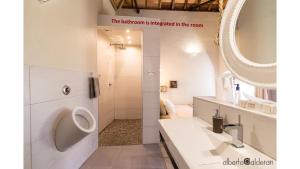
176 5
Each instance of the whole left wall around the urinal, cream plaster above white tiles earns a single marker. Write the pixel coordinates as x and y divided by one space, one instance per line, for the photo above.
61 35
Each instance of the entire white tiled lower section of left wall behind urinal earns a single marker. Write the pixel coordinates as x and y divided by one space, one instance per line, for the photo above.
41 117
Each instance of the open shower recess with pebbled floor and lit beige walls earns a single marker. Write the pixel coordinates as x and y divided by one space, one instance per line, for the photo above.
120 79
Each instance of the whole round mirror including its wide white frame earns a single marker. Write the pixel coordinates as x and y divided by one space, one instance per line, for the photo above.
248 41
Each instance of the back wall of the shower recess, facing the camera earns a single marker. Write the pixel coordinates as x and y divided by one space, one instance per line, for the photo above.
128 77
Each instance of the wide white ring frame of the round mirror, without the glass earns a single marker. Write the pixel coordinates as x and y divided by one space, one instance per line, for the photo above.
259 75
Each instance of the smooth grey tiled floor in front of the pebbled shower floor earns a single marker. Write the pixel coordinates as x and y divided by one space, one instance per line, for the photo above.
126 157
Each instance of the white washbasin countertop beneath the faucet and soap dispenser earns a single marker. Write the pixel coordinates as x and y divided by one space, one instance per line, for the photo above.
200 148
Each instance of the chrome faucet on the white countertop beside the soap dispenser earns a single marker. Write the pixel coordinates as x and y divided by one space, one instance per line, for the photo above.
236 133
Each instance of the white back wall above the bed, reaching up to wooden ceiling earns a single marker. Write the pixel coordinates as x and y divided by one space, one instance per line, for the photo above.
195 73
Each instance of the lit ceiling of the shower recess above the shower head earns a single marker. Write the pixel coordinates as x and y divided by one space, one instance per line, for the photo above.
122 36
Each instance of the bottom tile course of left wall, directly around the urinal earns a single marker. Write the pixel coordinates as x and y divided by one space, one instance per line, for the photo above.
44 116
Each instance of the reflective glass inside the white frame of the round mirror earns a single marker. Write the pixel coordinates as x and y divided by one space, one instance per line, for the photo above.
256 31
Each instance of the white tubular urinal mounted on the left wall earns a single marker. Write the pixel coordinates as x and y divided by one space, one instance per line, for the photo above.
73 127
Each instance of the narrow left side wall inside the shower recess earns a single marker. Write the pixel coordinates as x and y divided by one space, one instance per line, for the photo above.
106 74
